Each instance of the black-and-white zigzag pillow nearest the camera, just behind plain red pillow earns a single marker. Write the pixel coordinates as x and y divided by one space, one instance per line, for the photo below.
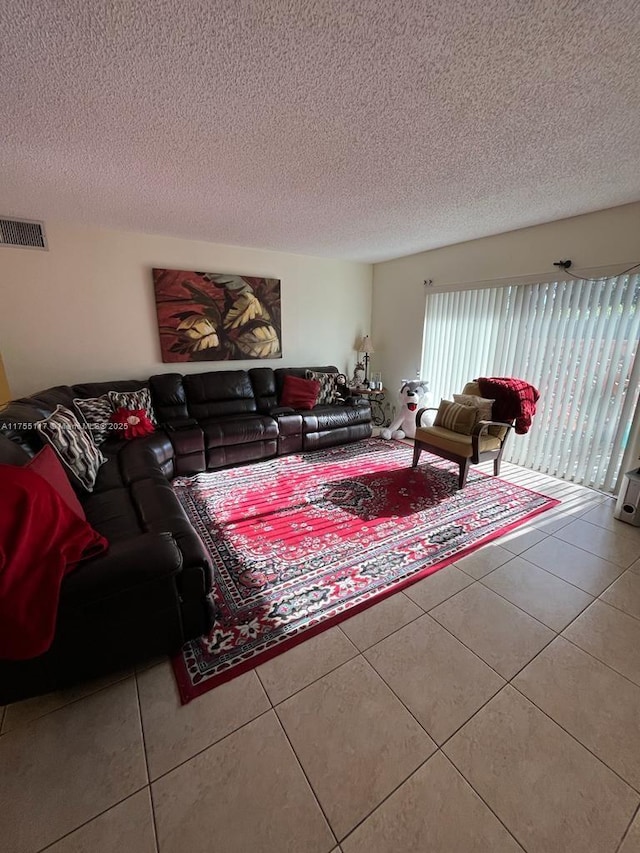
73 445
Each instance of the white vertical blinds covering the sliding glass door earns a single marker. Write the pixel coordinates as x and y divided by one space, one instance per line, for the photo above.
576 341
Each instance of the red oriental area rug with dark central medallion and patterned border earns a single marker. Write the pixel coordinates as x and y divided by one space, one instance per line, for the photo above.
301 542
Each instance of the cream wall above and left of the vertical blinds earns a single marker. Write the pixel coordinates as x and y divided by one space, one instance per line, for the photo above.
599 239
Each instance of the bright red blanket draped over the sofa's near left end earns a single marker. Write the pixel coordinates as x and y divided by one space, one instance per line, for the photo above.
41 540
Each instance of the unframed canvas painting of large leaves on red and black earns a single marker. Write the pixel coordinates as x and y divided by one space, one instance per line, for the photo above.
206 316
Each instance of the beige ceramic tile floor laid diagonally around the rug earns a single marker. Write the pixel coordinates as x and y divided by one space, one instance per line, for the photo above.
494 706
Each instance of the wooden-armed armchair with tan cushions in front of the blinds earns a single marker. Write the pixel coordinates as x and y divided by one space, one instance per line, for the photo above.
461 437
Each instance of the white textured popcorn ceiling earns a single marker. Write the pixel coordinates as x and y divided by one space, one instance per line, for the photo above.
359 129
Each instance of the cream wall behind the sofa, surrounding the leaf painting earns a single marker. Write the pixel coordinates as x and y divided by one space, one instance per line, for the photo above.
85 311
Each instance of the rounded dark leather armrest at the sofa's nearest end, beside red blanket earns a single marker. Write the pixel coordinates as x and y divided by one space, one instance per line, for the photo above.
128 563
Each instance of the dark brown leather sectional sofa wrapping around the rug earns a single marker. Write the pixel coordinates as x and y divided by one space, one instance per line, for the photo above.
149 593
